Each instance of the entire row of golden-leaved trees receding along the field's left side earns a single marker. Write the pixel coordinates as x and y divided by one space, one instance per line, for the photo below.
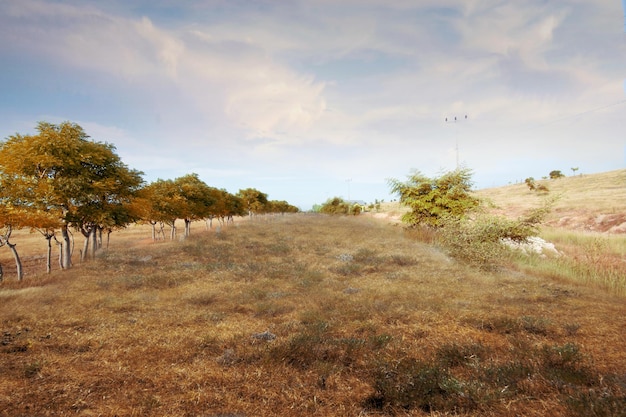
59 181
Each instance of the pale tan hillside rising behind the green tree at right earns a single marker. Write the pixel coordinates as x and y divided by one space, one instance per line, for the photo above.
589 202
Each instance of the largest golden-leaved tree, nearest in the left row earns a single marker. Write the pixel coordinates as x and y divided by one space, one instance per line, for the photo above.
59 179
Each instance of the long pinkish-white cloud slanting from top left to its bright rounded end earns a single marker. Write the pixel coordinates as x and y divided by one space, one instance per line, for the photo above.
234 76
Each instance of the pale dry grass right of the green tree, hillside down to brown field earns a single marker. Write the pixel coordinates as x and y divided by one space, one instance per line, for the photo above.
587 224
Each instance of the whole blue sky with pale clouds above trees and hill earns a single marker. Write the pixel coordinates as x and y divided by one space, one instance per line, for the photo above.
309 99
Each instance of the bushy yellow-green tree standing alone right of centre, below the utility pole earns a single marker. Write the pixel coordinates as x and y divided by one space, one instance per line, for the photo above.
433 200
